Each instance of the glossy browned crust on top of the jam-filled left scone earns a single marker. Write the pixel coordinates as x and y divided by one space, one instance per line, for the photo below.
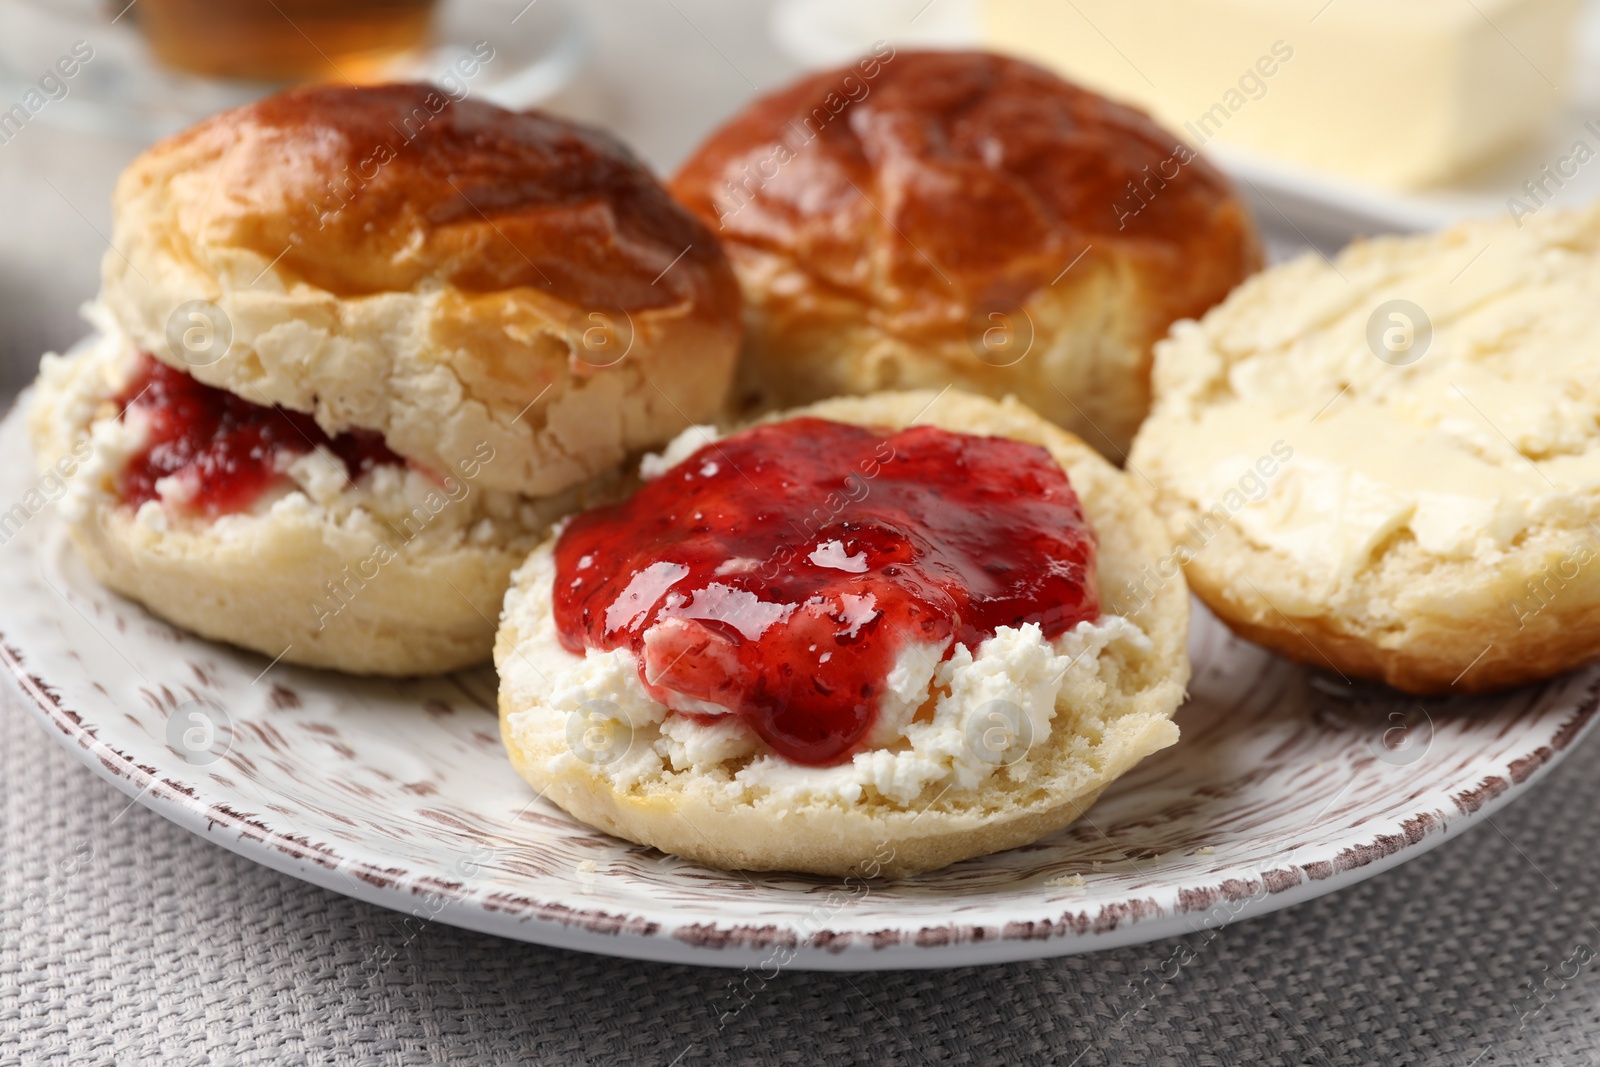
388 188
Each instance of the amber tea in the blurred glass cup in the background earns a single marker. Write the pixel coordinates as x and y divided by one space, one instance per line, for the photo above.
284 41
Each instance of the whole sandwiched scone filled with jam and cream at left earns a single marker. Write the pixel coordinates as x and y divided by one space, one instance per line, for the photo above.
358 348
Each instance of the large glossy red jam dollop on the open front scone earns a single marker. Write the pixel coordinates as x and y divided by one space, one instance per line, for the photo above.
778 573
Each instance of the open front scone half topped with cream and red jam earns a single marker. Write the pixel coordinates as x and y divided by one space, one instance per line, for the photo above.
863 637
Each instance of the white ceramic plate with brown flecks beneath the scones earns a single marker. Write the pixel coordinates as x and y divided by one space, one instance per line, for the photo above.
1286 786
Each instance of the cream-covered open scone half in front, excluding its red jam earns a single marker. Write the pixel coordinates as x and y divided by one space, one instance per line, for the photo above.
926 793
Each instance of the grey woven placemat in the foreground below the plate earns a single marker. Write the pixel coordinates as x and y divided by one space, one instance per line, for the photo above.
127 940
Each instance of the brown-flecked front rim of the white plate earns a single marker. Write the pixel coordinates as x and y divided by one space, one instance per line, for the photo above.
1122 921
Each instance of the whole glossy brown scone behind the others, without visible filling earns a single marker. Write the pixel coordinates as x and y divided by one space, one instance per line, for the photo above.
924 220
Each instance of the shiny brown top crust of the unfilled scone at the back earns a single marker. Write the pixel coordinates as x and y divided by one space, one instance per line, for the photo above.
932 185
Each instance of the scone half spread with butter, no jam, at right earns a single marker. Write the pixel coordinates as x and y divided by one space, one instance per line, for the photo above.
1390 465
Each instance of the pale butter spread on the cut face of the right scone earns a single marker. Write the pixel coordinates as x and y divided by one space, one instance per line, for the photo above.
1492 431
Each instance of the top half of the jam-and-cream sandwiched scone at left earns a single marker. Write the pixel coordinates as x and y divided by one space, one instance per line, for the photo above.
425 268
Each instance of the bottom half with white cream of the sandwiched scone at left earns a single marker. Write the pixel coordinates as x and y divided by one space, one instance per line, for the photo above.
398 572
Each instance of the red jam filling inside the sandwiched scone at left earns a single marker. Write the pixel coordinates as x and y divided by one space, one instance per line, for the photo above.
223 446
